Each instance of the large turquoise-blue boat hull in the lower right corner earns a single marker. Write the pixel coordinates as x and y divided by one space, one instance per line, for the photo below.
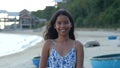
106 61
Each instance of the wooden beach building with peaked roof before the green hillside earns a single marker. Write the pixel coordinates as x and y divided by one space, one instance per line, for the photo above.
28 21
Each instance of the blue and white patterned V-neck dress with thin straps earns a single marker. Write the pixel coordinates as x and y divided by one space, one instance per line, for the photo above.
58 61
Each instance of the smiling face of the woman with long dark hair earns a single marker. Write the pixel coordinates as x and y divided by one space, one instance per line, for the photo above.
63 25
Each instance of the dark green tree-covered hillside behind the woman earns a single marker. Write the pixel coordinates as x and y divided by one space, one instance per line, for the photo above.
88 13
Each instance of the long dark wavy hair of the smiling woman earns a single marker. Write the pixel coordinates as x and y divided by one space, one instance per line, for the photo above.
51 32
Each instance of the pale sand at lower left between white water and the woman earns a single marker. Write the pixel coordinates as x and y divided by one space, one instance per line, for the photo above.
23 58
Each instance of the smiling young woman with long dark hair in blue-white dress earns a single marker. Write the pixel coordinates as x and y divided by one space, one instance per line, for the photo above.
61 49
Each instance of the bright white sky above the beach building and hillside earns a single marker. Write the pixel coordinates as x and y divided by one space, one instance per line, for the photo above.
30 5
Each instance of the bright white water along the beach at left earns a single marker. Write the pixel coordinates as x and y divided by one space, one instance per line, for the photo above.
13 43
